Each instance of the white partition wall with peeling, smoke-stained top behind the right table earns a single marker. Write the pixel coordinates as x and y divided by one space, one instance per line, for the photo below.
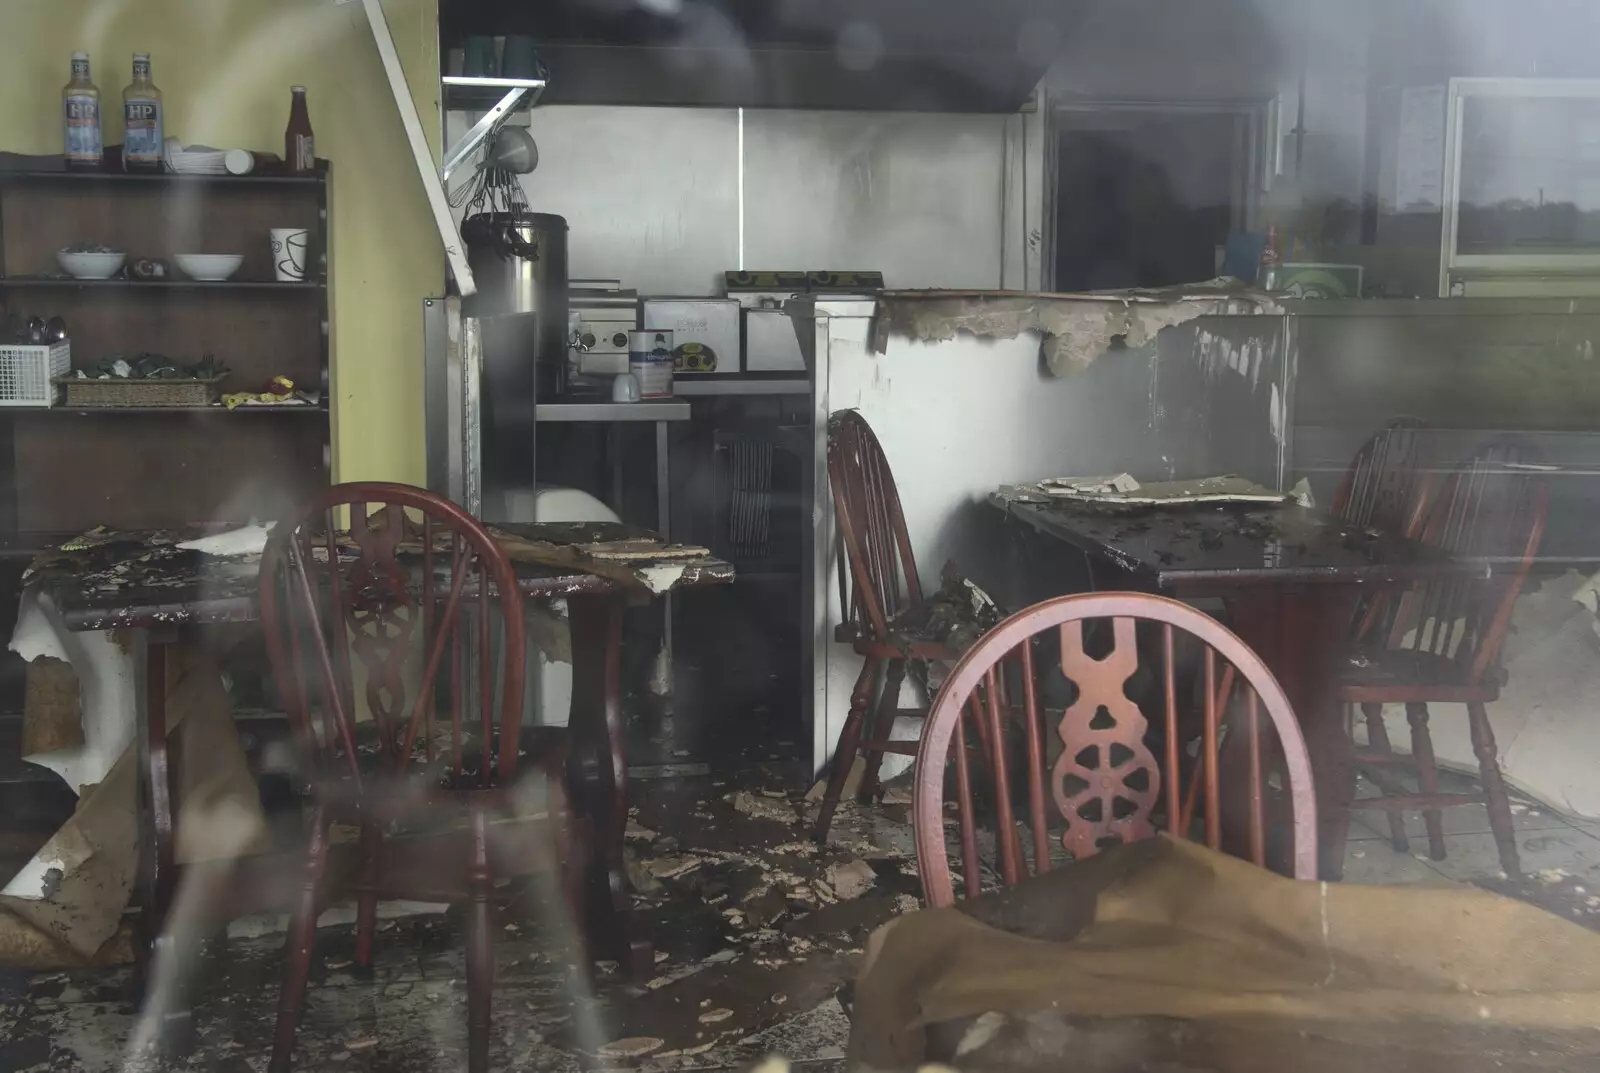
961 418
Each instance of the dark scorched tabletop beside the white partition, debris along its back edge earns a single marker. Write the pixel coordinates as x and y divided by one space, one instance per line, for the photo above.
1177 548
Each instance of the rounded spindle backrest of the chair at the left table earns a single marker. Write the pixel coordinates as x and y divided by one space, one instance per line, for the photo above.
385 584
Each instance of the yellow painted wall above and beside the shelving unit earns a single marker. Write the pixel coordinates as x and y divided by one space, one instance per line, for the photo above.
225 70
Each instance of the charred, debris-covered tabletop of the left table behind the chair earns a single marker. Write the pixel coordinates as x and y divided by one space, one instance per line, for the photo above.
145 580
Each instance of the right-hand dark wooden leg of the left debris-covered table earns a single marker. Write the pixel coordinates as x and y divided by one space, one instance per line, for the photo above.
598 770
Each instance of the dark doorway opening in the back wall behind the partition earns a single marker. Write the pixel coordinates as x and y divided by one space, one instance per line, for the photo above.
1148 194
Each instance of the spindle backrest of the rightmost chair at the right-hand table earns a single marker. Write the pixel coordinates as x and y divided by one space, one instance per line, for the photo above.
1492 508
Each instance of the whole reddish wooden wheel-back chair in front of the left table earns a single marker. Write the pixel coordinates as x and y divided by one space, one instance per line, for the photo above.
396 602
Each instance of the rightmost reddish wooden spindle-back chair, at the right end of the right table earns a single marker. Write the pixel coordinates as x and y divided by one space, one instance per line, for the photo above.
1441 642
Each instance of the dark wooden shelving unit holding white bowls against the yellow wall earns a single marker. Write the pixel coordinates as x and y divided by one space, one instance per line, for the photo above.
68 469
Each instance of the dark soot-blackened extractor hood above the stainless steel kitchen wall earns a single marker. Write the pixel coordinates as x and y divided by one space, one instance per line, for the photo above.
866 55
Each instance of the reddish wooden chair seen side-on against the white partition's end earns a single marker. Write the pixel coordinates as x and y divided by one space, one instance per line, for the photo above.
881 594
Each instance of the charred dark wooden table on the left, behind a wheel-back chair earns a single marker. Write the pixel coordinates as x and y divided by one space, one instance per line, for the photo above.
145 584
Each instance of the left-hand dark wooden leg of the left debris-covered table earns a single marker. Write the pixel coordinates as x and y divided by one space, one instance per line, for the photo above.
158 864
